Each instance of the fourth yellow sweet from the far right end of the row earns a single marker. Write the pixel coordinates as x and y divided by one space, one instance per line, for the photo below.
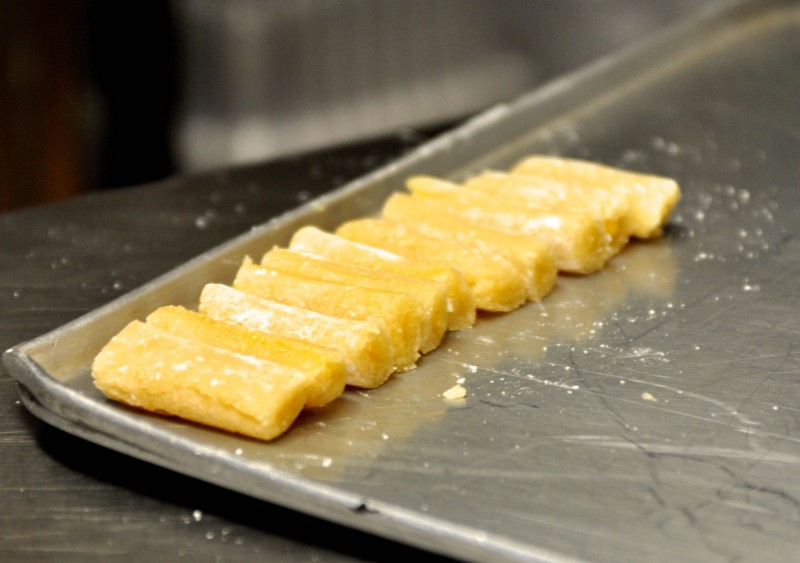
530 255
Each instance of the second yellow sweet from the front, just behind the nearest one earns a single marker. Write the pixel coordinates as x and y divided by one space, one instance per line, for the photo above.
324 367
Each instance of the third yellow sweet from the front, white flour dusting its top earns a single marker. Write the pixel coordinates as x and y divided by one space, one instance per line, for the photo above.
365 345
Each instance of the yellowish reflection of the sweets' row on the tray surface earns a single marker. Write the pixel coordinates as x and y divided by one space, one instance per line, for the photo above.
503 359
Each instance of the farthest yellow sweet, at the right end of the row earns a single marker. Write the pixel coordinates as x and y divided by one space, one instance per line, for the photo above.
653 198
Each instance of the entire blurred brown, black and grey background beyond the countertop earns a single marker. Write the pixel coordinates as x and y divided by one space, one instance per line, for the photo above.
101 94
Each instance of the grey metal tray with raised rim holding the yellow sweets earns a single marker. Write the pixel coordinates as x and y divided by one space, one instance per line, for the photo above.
650 410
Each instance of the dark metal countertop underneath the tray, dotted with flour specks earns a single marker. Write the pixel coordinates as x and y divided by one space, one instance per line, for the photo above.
64 498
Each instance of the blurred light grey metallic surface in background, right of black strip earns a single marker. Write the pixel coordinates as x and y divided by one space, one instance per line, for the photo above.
271 78
